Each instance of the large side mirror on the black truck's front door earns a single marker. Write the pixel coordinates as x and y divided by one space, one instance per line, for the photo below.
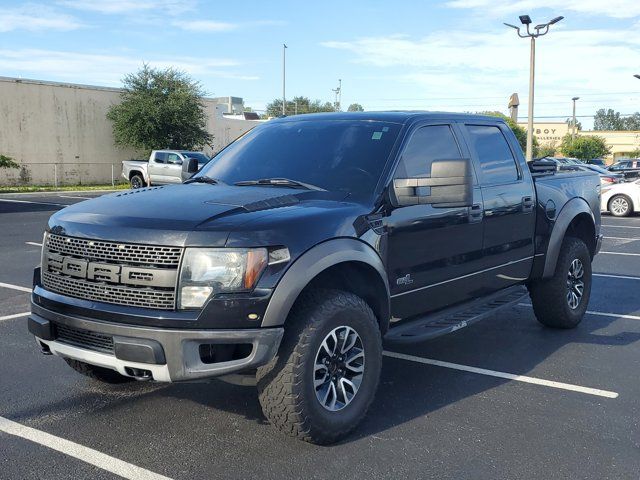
450 185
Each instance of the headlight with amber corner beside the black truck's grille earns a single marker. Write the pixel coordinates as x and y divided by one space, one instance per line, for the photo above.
206 271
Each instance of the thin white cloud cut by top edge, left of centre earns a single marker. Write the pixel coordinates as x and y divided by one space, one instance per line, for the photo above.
172 7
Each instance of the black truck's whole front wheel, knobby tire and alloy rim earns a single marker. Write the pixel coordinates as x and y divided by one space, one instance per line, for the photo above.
321 383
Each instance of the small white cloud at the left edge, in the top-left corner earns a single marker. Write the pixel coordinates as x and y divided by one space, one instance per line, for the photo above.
35 17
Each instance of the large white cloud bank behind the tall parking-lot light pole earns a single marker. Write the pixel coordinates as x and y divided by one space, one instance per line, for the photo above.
456 70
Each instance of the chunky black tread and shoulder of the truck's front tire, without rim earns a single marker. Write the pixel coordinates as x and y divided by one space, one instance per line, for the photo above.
280 393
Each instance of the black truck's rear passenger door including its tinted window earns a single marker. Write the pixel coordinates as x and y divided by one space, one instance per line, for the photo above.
509 202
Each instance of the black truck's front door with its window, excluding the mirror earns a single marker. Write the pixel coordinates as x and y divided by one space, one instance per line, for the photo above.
431 251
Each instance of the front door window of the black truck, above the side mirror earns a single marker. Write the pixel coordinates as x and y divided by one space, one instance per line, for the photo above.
435 142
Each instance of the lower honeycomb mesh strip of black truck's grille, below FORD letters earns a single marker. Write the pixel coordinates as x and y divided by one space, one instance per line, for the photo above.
109 293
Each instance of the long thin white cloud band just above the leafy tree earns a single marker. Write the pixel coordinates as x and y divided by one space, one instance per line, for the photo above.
105 69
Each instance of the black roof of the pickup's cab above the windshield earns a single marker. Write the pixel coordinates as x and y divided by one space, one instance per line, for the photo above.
390 116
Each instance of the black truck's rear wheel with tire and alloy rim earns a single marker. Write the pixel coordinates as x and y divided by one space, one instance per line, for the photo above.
561 301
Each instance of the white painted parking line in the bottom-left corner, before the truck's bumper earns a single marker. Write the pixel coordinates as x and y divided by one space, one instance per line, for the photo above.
80 452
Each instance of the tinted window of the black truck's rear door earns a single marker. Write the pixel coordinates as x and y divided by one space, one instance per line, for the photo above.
496 159
